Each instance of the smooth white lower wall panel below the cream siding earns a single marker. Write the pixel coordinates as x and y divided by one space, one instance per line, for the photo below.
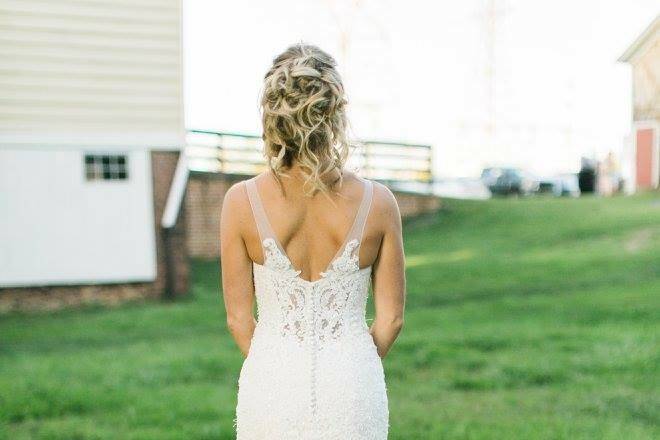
57 228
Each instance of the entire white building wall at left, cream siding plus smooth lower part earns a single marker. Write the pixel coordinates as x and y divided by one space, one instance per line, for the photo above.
76 76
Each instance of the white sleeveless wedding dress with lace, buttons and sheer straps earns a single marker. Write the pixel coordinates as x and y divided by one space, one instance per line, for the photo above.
312 371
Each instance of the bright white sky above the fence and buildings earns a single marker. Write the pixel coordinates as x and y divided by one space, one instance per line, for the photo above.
538 86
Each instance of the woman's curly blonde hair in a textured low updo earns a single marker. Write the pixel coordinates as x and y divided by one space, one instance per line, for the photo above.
303 114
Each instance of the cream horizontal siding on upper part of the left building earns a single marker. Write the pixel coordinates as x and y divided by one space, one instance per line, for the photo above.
91 72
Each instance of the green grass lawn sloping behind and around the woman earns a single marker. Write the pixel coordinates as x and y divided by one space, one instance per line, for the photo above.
526 319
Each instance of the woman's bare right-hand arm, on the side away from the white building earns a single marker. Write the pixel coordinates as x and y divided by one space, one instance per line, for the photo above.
389 280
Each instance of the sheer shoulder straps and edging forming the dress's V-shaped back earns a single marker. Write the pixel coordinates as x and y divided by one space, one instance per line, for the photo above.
266 231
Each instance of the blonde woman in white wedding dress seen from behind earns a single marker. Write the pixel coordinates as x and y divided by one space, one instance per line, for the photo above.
306 238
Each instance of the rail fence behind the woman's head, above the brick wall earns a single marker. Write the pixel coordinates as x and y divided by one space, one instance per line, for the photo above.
240 154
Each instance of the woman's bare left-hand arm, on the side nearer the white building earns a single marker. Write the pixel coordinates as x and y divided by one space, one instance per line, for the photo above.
237 282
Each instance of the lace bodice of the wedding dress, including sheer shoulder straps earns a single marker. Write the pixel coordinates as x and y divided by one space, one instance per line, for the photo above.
305 311
